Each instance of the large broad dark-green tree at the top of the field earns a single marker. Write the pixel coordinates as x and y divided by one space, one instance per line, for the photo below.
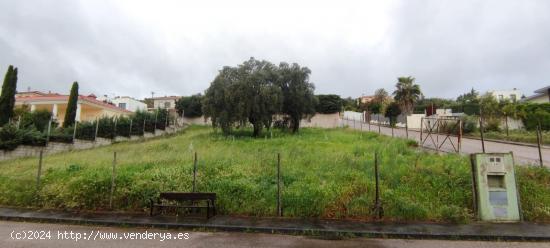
255 91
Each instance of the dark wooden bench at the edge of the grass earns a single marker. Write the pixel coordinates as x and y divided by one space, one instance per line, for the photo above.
177 200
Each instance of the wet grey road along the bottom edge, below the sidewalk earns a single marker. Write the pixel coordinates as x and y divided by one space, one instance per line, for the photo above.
61 237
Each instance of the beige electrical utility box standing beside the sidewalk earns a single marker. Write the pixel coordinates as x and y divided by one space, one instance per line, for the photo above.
496 197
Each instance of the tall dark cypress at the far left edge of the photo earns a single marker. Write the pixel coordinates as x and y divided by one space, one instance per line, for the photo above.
7 98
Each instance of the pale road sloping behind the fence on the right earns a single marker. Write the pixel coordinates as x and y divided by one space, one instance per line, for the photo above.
522 154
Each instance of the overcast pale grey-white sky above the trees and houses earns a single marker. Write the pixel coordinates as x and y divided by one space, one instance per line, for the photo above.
352 47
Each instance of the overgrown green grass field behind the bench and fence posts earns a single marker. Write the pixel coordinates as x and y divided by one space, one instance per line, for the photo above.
327 173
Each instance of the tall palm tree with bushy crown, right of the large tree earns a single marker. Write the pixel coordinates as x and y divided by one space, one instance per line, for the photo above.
407 93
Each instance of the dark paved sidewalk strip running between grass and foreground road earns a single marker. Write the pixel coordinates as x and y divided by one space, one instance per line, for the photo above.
473 231
